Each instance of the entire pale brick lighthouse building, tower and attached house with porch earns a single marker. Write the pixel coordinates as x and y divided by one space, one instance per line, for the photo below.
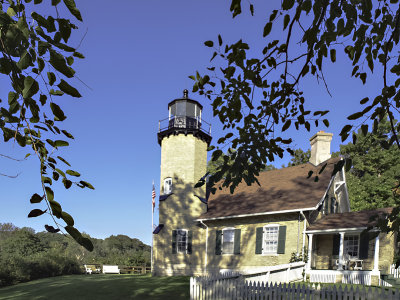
290 215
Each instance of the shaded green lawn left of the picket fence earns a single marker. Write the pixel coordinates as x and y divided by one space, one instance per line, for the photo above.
99 286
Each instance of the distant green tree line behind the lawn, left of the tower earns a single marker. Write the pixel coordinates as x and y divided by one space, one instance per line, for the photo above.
26 255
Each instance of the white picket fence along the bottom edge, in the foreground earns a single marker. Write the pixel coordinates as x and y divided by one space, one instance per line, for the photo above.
240 289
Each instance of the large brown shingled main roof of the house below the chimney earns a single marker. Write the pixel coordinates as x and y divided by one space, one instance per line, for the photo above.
280 190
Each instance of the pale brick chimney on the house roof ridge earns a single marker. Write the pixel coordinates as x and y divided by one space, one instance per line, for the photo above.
320 147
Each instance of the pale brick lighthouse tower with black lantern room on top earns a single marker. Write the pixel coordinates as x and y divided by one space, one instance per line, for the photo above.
179 240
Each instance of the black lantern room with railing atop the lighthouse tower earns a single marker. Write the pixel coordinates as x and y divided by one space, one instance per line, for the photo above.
184 117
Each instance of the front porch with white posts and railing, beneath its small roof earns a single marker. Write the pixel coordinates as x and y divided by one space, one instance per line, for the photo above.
344 256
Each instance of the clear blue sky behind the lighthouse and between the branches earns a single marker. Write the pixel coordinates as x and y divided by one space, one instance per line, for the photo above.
139 55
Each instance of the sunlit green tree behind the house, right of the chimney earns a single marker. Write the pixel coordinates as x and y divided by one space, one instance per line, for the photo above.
372 182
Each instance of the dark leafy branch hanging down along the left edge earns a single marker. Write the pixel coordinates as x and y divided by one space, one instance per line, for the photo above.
37 60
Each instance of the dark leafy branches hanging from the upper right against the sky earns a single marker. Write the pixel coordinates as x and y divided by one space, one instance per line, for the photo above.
257 98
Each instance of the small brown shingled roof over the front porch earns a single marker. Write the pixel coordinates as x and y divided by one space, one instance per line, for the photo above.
354 219
